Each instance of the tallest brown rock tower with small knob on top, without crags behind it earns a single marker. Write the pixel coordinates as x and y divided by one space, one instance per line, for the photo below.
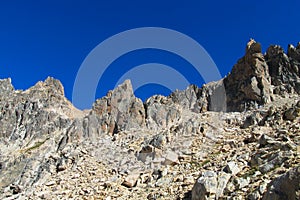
249 82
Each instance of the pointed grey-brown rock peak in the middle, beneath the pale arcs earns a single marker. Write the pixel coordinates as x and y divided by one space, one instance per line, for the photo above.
120 110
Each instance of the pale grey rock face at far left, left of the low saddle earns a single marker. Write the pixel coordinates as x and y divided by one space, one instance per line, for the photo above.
30 120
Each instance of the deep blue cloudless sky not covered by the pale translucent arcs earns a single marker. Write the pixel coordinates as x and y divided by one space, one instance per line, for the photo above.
52 38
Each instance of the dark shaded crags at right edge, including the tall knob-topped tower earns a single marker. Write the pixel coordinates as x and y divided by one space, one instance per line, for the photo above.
256 77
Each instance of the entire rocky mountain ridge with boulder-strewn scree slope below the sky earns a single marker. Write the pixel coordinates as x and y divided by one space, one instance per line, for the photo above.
236 138
